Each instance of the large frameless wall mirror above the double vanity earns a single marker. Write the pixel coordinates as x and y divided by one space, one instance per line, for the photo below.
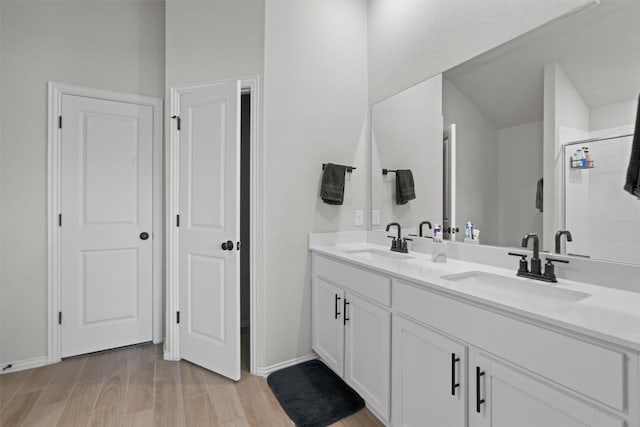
523 111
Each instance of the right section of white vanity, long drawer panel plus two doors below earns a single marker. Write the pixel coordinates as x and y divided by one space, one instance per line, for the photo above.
528 376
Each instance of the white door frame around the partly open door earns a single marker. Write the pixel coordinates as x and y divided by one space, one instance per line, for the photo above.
251 85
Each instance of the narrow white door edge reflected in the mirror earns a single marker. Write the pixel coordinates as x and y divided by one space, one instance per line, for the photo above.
449 190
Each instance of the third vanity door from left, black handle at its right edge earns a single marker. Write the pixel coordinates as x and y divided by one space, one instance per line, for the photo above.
429 386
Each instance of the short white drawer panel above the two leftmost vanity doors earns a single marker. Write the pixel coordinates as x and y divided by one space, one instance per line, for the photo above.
371 285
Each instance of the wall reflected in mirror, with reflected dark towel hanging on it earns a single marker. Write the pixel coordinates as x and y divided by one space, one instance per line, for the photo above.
407 134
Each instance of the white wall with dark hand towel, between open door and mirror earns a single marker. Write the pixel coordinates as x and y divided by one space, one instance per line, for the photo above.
315 112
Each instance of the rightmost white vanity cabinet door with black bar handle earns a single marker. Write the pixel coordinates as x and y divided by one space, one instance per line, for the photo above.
503 396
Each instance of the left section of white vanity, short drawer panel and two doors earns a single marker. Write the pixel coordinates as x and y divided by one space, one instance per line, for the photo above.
351 328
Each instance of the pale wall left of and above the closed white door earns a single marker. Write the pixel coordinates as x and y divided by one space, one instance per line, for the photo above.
104 44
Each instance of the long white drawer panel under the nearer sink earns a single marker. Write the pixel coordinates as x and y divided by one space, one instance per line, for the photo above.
594 371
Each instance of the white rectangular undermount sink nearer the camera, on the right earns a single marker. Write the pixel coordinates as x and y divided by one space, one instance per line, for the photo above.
513 290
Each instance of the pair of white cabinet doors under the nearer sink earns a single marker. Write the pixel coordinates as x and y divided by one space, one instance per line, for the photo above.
436 379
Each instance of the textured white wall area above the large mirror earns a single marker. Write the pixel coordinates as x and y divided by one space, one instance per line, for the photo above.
411 40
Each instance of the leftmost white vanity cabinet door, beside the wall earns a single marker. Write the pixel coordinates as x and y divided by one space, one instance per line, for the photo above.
327 323
